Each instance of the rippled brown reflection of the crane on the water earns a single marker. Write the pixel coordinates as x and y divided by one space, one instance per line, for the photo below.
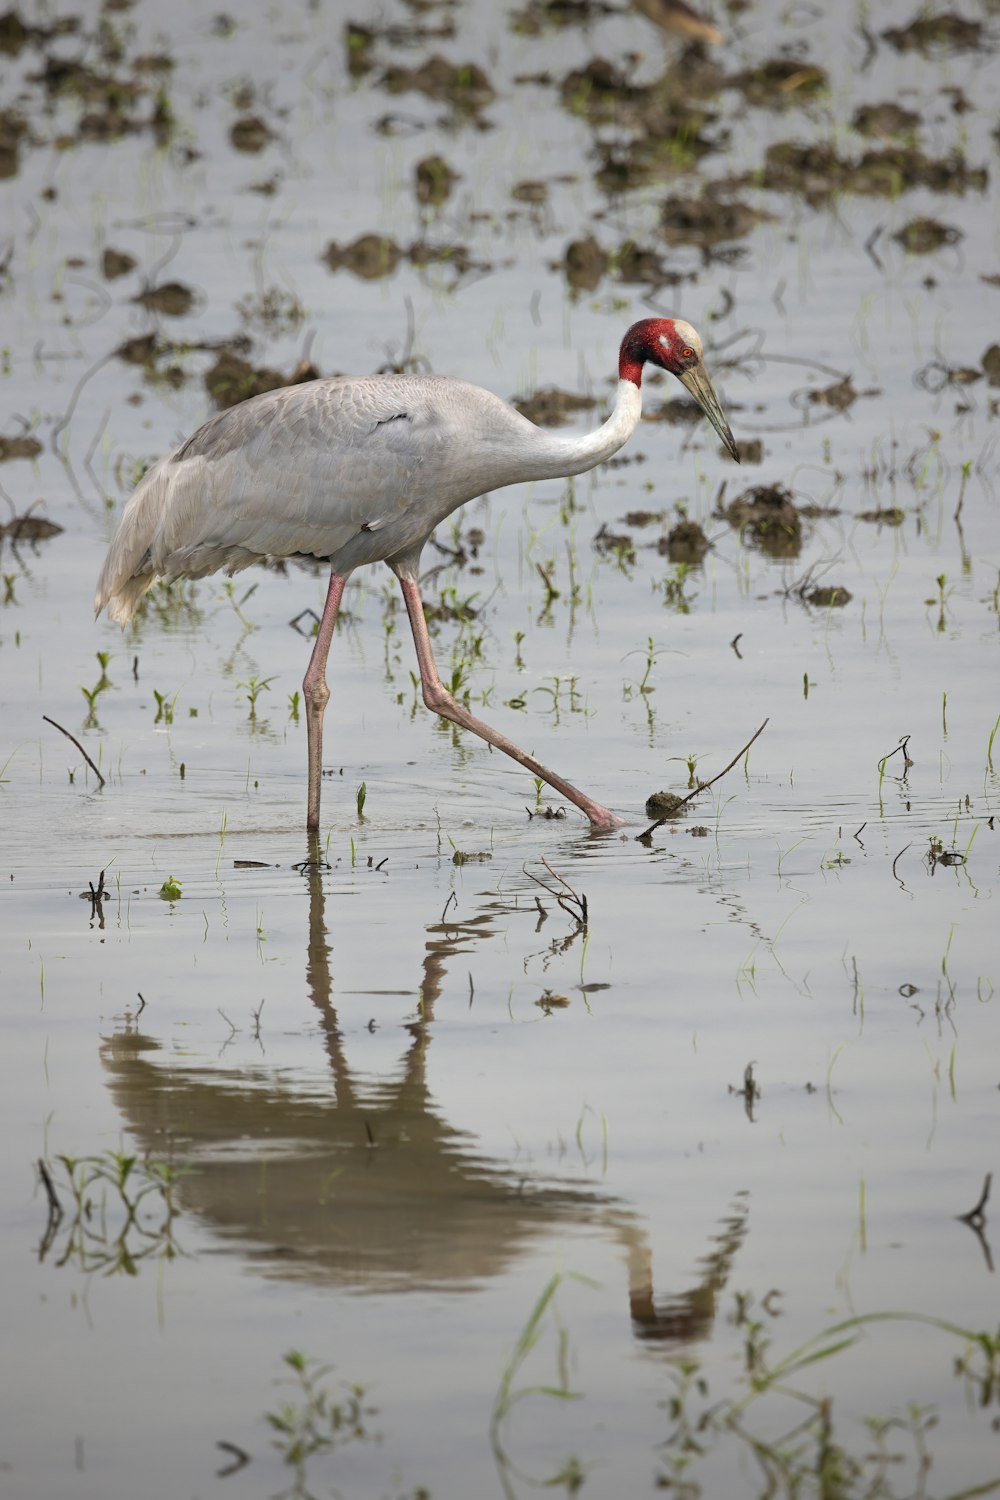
364 1184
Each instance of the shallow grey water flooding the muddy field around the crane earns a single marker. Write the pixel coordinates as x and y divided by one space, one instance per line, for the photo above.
404 1096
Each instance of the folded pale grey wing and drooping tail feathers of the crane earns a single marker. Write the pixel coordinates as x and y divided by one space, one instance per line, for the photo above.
292 472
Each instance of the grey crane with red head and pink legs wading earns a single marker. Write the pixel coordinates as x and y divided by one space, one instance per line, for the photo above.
362 470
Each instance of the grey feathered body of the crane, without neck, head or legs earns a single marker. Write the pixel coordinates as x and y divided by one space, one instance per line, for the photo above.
350 472
